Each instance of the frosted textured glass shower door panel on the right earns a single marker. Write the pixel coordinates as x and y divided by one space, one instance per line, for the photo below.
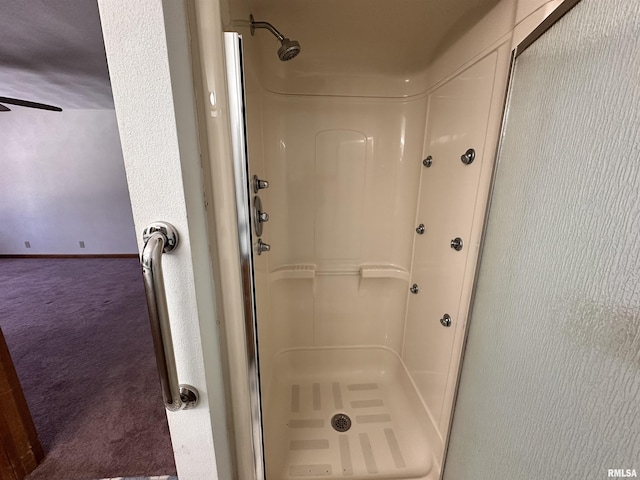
550 384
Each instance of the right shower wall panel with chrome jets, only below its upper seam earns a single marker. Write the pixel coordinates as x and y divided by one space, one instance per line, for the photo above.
464 113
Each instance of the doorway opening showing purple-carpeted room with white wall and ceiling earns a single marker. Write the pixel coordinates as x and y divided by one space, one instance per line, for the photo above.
73 305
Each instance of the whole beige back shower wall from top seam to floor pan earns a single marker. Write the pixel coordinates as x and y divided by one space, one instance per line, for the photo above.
344 176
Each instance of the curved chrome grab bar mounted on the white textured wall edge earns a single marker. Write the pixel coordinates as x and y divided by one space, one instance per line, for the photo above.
161 237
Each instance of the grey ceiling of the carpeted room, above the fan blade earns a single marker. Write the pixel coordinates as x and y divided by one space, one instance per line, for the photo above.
51 51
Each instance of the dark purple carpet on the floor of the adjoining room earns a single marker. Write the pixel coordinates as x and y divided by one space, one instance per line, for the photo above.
78 333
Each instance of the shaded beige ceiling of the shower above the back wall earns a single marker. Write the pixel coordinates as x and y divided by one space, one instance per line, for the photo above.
372 35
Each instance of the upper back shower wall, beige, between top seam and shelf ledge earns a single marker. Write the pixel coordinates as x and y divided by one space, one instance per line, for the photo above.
301 191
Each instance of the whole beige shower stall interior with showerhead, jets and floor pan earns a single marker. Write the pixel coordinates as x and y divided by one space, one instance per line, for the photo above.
364 159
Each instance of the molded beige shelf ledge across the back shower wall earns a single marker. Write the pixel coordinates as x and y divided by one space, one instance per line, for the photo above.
302 271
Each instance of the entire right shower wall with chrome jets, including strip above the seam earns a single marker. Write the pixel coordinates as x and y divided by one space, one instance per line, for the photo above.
468 83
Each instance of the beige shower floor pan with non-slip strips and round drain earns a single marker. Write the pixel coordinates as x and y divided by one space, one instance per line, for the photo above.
387 437
